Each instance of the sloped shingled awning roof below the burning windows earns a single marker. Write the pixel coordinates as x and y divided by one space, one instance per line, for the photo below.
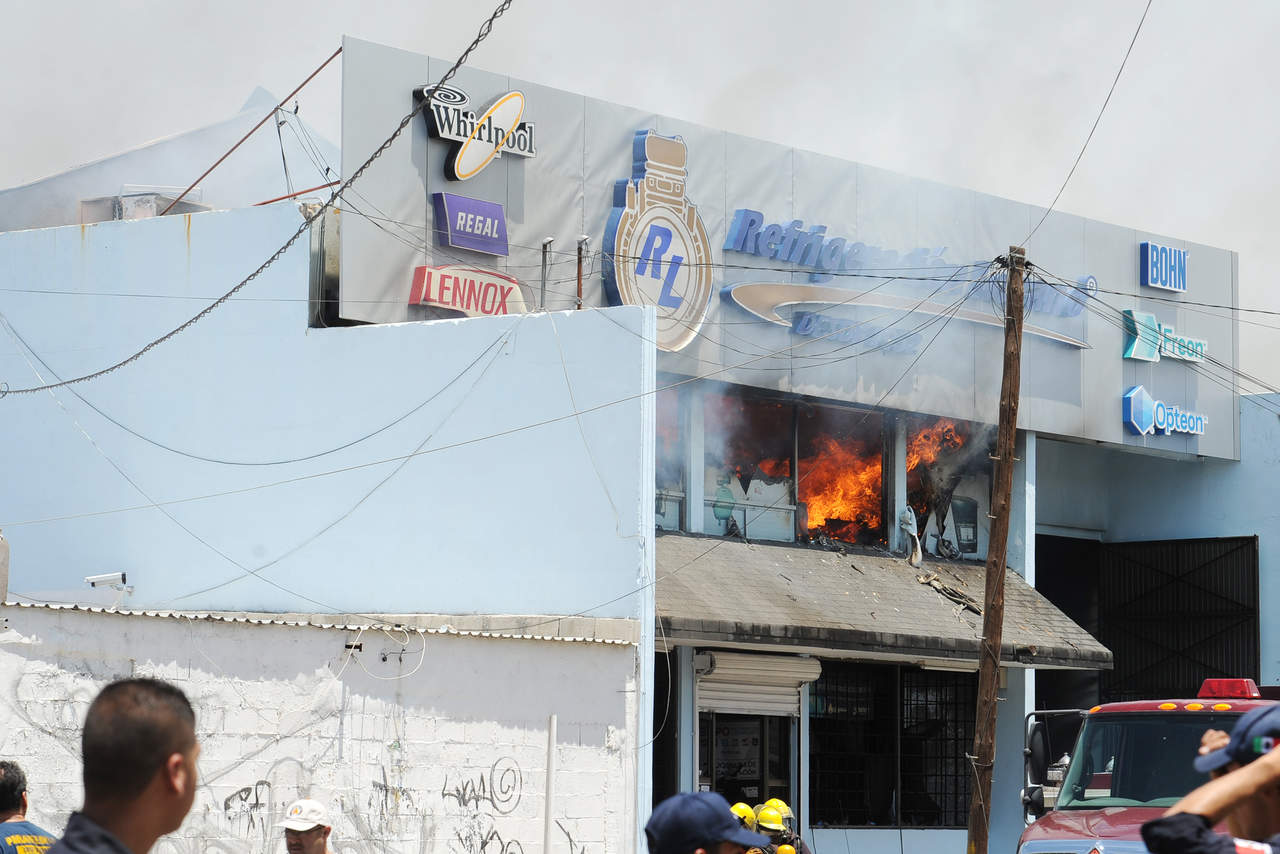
716 591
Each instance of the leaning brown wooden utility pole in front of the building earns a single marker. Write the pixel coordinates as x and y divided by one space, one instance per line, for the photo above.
994 602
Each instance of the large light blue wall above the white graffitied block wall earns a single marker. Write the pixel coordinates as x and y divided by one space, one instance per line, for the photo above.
542 520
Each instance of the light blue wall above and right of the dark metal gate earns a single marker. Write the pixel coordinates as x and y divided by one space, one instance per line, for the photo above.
1135 497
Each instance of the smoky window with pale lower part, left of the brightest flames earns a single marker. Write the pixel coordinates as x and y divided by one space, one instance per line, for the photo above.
748 485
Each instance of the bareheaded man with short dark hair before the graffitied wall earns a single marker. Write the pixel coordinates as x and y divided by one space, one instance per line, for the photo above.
140 769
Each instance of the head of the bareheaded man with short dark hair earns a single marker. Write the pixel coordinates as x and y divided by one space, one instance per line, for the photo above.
140 747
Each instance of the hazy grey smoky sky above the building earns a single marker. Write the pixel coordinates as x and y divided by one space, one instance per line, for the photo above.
994 95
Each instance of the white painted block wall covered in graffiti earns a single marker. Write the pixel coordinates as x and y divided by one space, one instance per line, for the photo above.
424 755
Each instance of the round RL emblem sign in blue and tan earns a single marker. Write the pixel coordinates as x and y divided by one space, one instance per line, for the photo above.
656 248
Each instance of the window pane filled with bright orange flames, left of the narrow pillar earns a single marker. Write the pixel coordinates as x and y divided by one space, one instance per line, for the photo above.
842 465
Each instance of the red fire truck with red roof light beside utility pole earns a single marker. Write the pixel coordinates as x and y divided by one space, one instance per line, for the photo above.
1130 762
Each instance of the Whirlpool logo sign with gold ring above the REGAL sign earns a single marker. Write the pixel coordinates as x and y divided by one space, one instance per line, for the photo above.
478 140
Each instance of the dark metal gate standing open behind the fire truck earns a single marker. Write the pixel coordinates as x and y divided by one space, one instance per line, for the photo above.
1176 613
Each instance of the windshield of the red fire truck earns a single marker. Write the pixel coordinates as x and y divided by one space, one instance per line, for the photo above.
1137 760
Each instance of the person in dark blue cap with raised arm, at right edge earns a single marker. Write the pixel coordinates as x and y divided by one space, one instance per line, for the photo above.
1249 791
